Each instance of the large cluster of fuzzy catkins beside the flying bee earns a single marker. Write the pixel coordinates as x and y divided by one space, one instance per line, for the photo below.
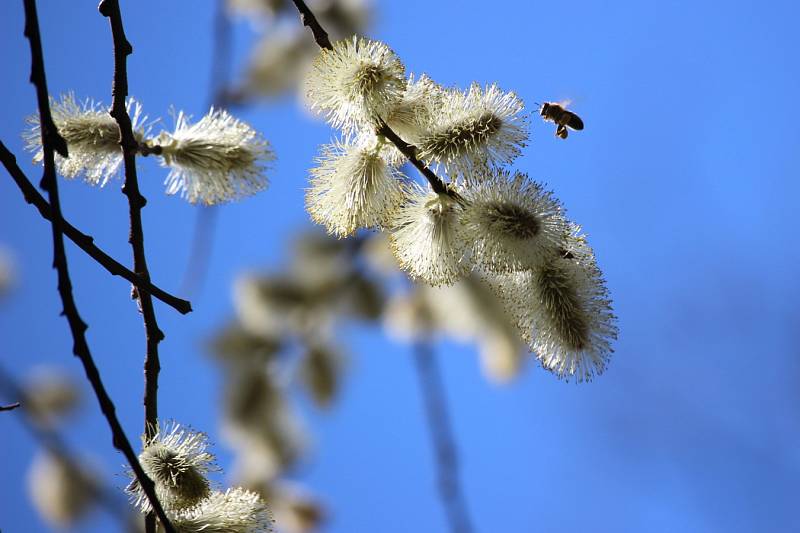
483 218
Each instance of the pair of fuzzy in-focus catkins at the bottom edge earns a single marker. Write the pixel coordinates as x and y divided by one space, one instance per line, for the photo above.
177 460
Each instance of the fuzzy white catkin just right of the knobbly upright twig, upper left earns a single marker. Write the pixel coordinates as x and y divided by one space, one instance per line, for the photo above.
215 160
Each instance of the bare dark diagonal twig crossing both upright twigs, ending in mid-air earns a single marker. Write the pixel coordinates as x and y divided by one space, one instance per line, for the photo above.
83 241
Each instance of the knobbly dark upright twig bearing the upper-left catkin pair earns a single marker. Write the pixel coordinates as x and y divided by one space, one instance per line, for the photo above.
153 335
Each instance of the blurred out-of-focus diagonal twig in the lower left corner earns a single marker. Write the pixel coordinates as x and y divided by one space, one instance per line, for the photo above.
59 448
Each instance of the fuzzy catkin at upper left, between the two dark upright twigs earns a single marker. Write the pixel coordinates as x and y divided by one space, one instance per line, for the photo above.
92 137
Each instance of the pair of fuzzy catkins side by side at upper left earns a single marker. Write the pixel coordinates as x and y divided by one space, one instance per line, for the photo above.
214 160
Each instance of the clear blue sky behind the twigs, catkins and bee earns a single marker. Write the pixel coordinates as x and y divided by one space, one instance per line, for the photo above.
686 179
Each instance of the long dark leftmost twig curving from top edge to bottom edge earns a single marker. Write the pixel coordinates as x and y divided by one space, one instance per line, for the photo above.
52 140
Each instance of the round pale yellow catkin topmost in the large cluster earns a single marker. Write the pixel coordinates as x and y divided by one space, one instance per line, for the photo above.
356 82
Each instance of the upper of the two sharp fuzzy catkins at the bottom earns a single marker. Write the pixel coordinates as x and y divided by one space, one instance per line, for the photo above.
177 461
